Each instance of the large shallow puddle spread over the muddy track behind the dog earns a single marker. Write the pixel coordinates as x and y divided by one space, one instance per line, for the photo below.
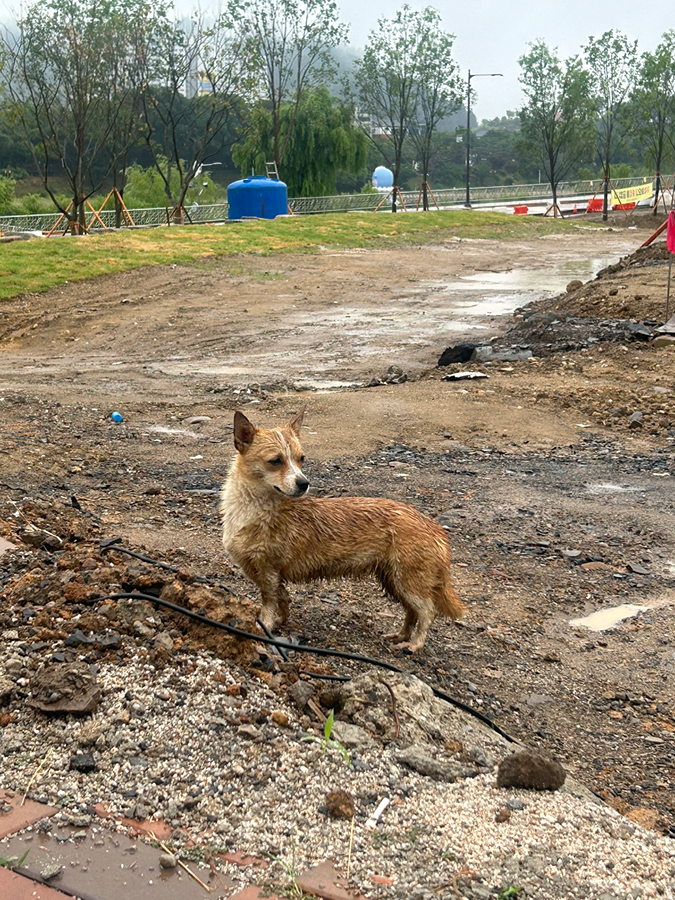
332 348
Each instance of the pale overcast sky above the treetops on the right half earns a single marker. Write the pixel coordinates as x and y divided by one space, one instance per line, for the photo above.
492 34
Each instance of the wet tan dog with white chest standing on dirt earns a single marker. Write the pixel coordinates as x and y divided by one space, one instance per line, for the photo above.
277 534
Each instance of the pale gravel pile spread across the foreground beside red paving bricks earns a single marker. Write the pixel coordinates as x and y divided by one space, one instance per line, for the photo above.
227 766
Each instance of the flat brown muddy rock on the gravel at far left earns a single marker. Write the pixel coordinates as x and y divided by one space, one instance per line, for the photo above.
65 688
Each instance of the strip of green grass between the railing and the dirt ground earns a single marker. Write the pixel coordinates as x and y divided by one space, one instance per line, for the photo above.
38 265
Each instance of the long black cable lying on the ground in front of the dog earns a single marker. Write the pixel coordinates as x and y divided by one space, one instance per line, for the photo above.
303 648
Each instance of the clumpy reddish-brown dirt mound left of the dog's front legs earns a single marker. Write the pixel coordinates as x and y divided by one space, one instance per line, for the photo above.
61 595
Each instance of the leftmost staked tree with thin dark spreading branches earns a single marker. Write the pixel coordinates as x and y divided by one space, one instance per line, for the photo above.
57 76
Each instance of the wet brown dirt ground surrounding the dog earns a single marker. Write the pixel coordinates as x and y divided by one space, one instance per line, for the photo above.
539 458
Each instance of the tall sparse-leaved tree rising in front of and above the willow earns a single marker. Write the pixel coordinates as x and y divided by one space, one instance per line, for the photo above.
288 46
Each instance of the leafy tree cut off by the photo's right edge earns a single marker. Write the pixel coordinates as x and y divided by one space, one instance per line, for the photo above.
654 103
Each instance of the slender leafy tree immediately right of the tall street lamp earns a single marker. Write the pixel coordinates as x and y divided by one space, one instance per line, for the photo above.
556 123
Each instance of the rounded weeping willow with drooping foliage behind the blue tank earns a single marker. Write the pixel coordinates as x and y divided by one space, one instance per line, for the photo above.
320 137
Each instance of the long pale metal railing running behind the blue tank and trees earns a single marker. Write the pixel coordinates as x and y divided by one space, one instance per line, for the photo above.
339 203
